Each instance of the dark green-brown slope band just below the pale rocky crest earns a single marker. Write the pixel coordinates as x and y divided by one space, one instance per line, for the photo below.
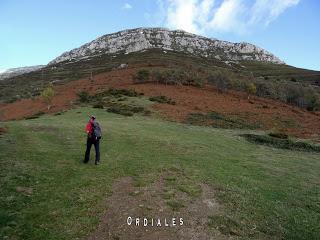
30 84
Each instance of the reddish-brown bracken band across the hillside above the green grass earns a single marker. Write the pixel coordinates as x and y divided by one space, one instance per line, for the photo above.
269 113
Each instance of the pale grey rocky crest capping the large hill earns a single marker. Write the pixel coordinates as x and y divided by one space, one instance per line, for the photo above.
139 39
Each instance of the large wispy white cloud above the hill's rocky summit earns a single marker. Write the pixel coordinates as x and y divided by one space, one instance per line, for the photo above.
239 16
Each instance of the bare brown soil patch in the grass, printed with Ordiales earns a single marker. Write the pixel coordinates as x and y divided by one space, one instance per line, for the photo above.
154 203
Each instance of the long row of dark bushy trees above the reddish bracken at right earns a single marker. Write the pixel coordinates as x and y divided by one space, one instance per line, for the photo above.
291 92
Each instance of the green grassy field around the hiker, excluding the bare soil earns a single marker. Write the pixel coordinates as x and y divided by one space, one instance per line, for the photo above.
48 193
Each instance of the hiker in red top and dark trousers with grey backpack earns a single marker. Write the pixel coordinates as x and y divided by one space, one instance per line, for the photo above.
93 137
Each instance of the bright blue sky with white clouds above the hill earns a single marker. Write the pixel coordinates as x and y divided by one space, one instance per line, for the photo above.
36 31
